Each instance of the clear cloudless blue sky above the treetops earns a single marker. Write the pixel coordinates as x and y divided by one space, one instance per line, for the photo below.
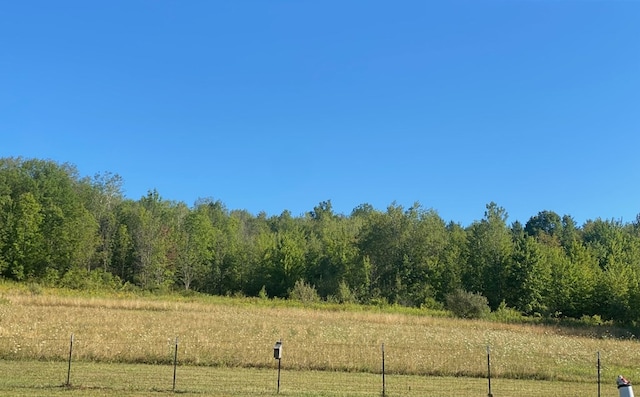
274 105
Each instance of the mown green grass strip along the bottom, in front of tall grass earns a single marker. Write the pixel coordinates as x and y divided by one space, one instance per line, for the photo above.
35 378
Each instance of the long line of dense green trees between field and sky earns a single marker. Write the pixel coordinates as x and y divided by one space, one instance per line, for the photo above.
60 228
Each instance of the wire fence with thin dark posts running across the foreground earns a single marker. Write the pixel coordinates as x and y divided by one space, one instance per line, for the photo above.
392 369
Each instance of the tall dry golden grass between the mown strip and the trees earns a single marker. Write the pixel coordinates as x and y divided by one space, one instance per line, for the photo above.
215 333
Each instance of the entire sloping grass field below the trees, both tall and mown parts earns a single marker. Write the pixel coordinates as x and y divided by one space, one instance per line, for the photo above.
124 345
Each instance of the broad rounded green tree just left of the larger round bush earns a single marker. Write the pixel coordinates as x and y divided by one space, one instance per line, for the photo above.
407 254
